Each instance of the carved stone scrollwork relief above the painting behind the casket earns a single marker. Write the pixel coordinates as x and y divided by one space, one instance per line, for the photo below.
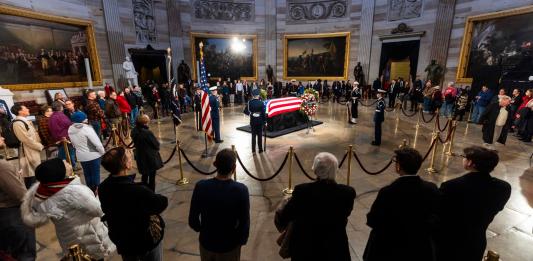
317 10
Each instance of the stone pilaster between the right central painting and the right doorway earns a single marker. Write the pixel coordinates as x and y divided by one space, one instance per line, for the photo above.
365 37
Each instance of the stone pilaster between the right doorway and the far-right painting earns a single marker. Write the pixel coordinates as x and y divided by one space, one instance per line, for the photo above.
442 32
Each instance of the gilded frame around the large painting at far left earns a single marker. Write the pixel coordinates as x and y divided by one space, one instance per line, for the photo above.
90 45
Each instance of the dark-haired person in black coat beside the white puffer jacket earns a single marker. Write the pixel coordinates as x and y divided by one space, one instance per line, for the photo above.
131 210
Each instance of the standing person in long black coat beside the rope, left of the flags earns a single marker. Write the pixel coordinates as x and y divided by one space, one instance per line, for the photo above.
146 151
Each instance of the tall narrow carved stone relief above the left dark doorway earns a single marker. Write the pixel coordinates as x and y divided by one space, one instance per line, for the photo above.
144 20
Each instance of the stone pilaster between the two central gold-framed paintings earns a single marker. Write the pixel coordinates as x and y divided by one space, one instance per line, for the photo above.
270 36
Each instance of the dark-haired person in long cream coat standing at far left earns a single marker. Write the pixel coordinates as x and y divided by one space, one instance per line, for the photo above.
30 143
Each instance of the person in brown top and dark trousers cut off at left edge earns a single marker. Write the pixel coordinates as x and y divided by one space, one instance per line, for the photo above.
17 240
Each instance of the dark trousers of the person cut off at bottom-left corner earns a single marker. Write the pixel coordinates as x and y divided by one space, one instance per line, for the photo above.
17 239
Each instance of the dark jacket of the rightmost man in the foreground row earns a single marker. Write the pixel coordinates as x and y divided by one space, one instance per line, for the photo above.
468 205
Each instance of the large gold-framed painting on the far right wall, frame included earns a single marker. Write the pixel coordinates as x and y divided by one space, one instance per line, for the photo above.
497 43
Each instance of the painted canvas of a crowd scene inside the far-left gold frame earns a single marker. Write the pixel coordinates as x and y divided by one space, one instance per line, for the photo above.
37 51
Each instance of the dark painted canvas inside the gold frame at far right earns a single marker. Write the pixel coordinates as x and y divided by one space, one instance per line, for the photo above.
496 48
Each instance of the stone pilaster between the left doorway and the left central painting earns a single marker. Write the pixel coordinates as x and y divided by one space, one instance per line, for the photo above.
175 33
